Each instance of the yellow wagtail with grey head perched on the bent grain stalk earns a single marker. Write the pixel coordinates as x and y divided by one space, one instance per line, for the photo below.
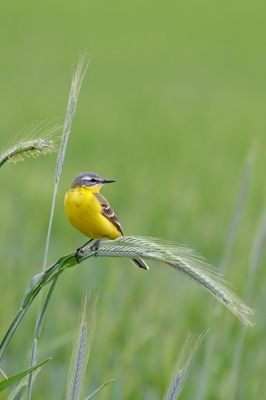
90 213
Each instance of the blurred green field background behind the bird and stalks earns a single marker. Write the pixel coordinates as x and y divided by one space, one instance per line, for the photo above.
171 105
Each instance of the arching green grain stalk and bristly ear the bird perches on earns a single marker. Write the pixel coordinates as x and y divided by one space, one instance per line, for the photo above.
181 258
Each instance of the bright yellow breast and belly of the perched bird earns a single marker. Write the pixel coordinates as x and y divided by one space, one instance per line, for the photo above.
83 210
